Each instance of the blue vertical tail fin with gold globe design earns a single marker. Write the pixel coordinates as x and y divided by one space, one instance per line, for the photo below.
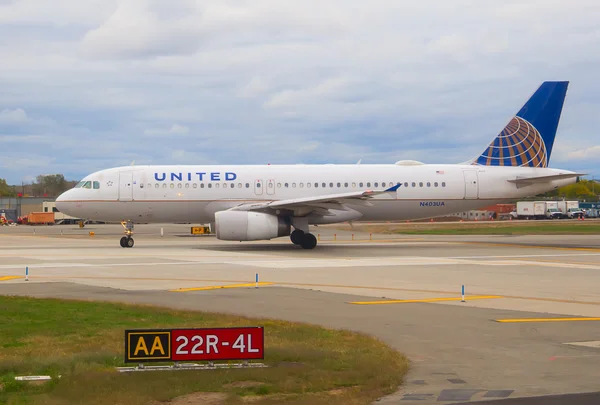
528 138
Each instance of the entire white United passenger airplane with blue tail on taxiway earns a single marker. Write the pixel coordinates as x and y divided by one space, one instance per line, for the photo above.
263 202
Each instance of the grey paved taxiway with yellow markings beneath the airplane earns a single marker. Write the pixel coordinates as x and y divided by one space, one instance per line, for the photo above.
529 325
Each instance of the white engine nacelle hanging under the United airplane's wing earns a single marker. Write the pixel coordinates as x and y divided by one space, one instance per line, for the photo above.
247 225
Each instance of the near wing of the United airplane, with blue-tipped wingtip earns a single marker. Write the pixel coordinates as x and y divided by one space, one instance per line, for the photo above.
320 204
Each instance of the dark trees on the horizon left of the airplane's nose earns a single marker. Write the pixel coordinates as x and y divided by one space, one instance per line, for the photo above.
49 185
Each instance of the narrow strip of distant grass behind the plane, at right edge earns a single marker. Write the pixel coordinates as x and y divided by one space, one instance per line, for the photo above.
504 229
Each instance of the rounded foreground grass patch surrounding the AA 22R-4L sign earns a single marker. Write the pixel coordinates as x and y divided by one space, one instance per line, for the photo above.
83 342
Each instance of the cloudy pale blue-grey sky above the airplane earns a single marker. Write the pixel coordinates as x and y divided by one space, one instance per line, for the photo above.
91 84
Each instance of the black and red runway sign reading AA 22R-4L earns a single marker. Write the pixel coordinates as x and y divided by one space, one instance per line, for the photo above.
206 344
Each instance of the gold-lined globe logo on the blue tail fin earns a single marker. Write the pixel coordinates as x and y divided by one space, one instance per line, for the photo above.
519 144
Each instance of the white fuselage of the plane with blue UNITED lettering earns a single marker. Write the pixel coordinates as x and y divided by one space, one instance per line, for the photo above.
192 194
